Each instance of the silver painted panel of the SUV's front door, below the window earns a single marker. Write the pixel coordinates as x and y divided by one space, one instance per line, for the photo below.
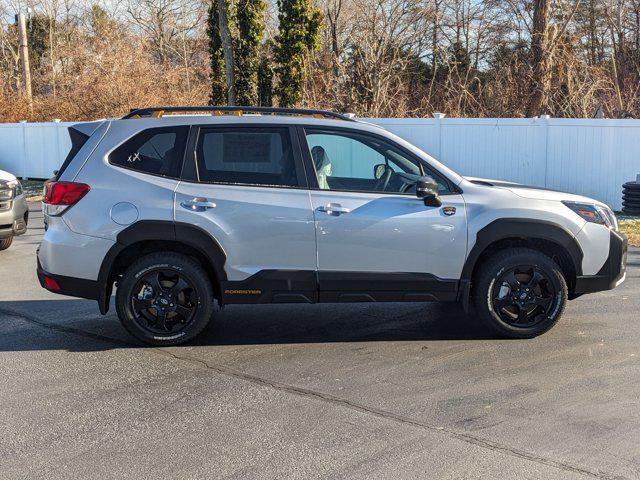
390 233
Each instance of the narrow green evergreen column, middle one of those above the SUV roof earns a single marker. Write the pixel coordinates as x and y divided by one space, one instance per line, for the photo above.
250 24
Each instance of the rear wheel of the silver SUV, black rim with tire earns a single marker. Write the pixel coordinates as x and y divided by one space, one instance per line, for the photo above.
165 299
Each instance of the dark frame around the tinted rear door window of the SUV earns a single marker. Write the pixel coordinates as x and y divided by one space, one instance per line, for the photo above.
190 171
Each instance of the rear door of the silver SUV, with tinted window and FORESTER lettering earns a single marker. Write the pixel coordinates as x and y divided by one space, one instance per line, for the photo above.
245 186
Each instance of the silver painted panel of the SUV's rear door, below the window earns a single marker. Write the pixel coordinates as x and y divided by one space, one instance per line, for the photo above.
258 228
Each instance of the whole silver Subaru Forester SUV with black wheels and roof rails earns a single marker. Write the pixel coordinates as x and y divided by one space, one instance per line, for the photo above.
187 212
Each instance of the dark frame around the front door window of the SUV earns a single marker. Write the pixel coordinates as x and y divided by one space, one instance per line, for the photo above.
351 132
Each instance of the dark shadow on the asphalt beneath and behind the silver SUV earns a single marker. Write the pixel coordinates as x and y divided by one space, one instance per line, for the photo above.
75 325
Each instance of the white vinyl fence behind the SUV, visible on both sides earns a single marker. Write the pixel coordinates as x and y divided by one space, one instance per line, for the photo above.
588 157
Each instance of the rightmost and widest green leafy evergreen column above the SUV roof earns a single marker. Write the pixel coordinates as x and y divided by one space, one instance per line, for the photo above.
298 34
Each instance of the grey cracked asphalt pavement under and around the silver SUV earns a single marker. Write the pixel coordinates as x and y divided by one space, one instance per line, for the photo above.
323 391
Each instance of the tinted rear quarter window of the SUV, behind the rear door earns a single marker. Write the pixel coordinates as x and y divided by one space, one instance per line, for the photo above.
157 151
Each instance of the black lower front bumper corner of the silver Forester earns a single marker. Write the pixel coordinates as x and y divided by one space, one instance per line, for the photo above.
612 272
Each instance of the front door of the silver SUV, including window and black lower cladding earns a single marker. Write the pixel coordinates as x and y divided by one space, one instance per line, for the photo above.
376 239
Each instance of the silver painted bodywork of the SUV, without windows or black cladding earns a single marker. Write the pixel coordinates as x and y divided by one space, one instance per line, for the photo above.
281 238
